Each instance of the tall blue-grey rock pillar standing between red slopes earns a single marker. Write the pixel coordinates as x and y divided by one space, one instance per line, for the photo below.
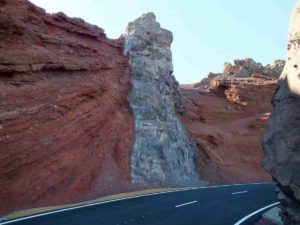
162 152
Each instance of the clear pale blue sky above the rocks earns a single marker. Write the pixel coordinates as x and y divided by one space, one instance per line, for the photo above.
206 33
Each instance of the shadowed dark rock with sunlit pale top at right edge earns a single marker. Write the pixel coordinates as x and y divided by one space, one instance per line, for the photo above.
282 138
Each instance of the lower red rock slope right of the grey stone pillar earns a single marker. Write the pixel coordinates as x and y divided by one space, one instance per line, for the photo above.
226 116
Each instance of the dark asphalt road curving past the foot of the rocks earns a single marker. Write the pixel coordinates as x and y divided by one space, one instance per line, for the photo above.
209 206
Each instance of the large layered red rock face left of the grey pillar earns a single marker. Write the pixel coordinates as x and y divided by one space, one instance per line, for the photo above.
66 127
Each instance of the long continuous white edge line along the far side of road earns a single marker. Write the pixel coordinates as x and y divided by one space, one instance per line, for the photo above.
120 199
